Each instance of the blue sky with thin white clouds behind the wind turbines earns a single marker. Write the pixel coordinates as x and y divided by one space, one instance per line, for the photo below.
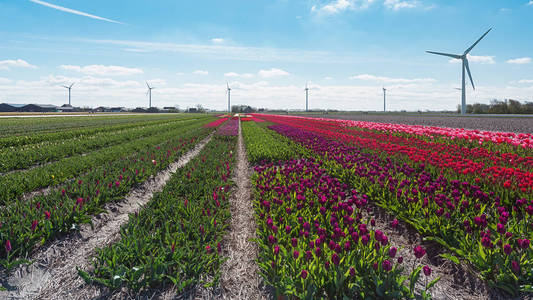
346 49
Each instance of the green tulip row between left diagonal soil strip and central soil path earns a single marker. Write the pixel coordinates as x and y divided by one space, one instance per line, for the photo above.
176 237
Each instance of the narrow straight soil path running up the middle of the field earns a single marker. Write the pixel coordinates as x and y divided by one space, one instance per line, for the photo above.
240 275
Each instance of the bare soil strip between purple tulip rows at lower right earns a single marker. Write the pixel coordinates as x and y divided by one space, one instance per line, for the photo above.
457 281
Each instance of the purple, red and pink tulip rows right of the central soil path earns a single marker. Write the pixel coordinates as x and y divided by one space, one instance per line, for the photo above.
469 191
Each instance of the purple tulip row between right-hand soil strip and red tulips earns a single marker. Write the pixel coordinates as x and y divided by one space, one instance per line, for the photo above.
489 230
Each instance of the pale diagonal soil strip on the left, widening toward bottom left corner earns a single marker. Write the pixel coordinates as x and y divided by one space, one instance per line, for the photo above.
53 274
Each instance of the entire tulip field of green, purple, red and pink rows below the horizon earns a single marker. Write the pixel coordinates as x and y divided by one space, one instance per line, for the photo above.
315 183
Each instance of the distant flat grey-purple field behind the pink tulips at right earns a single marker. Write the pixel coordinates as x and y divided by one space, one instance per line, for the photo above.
519 124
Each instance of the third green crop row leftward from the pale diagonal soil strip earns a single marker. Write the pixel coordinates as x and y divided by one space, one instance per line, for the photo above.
28 155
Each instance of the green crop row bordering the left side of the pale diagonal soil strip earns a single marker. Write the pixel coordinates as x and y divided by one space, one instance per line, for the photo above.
25 223
